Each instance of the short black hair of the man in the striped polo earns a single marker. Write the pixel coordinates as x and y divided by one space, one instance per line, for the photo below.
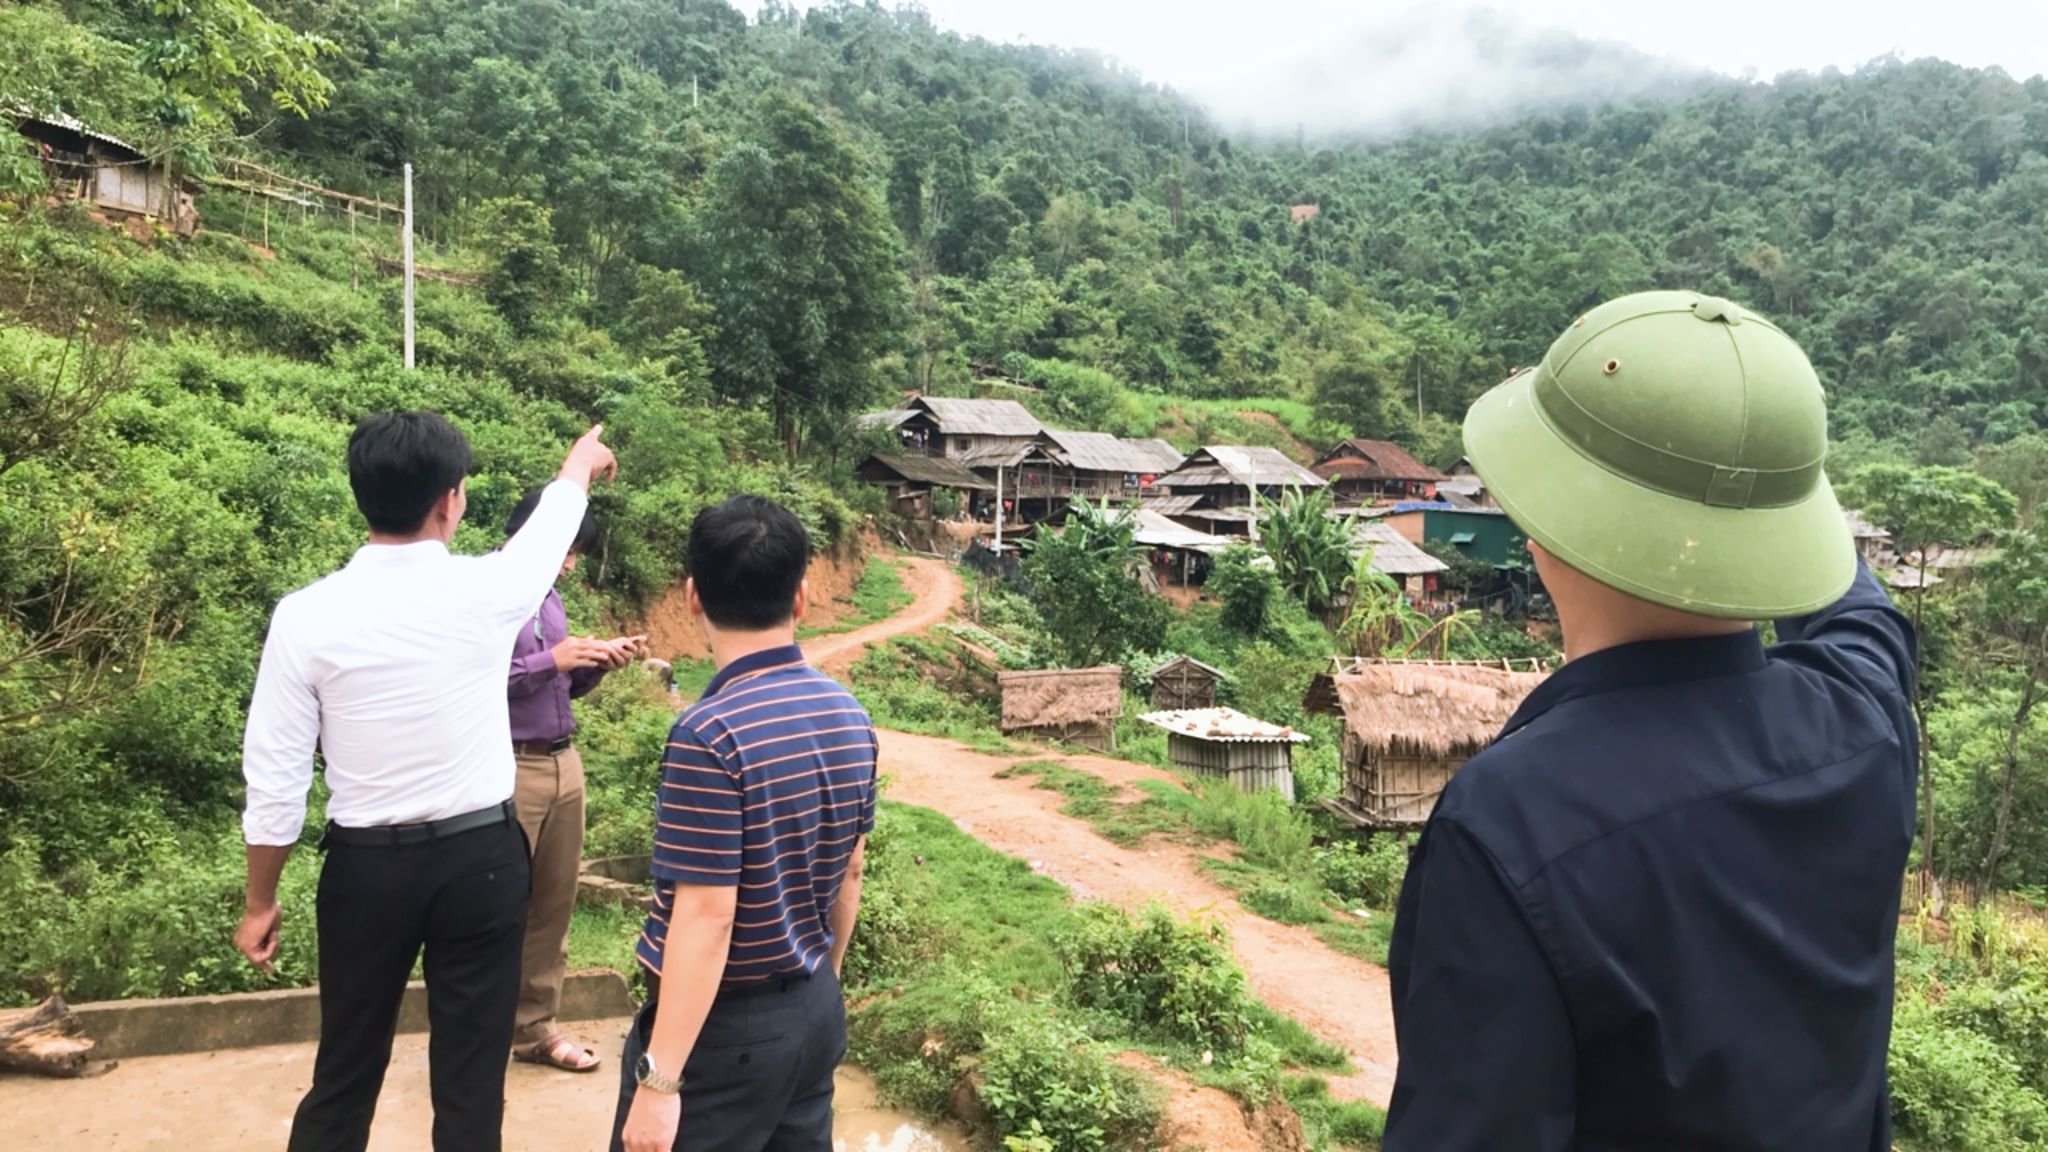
746 557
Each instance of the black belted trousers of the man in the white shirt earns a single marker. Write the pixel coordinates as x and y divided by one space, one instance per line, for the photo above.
464 901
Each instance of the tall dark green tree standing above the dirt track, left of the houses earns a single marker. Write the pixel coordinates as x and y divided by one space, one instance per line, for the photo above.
796 257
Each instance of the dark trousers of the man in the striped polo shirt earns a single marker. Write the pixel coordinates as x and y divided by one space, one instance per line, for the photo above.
761 1073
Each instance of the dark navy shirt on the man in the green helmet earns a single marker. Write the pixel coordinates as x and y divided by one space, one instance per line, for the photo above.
1658 913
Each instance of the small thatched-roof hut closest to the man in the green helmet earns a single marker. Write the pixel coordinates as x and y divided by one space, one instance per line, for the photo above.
1410 725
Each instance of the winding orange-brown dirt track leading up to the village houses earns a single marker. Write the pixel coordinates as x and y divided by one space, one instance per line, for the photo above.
1340 999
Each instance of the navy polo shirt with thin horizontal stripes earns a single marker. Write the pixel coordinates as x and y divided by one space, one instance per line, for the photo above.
767 784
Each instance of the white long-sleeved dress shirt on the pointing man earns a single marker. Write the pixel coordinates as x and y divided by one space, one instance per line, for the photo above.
396 667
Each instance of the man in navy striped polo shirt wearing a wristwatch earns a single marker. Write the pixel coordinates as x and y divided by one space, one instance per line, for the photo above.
761 829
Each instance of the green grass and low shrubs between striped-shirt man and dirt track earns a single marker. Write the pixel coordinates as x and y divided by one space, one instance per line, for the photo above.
974 969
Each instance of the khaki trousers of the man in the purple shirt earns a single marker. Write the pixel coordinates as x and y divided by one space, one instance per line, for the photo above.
550 803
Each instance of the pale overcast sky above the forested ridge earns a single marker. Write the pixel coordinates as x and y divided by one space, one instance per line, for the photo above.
1392 63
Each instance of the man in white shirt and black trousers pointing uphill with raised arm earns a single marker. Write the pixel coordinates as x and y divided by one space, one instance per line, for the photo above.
394 667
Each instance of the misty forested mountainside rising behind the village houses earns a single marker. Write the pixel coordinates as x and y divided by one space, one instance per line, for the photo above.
1058 218
